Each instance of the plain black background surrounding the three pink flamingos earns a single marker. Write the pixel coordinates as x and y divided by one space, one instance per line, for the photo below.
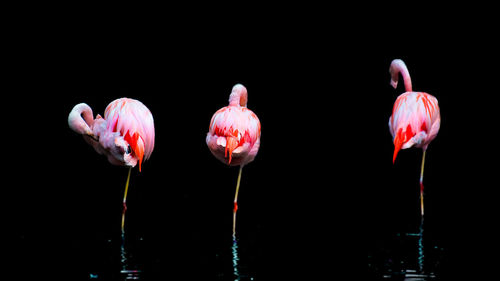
322 187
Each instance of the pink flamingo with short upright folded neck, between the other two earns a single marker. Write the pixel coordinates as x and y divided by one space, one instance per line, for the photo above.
234 136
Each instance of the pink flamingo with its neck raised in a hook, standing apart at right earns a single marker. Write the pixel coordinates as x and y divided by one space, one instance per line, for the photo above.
415 119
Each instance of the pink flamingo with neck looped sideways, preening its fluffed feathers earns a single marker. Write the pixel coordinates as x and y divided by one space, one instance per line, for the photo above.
126 134
